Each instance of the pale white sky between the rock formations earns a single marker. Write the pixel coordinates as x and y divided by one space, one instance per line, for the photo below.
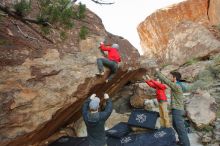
123 17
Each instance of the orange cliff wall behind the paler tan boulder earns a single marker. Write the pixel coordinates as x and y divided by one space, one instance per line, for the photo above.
154 31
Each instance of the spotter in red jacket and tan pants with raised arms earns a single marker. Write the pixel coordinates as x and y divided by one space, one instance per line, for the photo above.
162 100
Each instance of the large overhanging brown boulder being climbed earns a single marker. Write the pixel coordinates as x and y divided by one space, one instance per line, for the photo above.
44 84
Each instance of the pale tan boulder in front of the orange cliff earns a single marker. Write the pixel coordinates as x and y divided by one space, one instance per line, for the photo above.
189 40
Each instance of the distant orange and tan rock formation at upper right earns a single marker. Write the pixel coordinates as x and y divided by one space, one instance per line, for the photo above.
176 29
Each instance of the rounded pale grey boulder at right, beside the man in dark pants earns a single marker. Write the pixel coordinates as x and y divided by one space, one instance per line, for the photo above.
201 109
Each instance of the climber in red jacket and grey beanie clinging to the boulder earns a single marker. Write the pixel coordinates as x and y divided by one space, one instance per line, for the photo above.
111 62
